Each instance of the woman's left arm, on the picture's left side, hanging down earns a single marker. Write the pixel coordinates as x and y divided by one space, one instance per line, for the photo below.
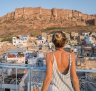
48 76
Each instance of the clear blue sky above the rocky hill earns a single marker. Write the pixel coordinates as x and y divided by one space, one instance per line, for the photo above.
85 6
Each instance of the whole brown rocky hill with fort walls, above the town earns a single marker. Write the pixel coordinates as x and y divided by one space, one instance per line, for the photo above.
24 20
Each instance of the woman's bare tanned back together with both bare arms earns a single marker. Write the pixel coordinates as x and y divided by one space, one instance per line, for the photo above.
62 61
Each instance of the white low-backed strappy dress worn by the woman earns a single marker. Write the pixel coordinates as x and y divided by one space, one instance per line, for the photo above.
60 82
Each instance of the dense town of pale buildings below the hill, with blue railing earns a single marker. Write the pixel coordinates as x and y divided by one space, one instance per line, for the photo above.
23 63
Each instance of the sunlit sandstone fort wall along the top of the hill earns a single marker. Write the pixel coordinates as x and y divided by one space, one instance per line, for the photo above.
57 13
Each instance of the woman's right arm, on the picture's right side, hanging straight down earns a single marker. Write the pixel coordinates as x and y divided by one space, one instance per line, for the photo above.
75 80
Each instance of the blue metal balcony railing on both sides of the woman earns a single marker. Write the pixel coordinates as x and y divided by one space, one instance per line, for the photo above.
16 77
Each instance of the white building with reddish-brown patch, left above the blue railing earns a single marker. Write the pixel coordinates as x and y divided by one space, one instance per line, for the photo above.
16 55
